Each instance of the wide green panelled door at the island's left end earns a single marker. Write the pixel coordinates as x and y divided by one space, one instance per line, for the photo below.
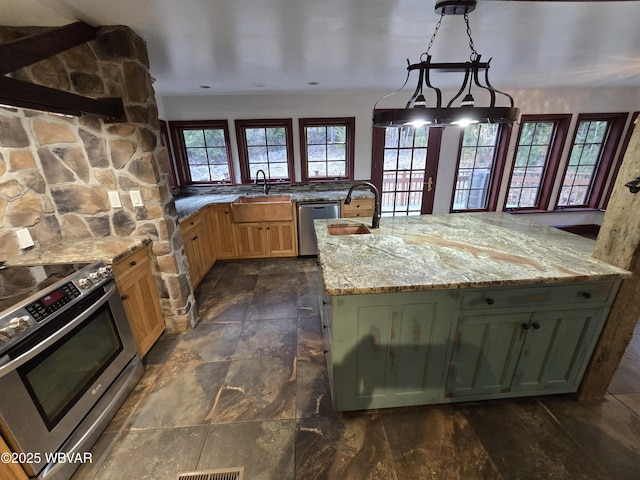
390 350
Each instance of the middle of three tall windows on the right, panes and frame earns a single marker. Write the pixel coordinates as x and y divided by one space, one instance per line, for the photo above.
541 139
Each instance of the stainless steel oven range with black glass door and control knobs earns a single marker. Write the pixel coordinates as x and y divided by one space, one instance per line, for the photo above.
67 363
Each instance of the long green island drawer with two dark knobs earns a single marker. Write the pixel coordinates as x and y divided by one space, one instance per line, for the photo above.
581 294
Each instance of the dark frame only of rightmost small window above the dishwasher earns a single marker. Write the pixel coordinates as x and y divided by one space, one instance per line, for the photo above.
350 123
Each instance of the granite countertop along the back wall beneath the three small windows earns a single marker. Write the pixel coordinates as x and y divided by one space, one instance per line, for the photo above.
188 205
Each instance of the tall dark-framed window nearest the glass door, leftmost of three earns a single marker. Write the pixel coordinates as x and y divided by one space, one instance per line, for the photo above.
480 162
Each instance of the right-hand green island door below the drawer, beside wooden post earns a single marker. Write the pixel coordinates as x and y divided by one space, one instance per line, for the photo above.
556 350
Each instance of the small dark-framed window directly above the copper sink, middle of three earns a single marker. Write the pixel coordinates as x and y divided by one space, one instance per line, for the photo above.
265 145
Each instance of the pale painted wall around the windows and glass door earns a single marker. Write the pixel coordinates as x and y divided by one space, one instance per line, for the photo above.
360 105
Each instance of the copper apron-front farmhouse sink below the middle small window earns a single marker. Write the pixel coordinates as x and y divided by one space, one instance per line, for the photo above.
263 208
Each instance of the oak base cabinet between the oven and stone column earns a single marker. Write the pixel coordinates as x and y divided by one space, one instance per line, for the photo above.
140 298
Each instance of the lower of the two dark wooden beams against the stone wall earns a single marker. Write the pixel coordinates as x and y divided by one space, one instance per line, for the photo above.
17 93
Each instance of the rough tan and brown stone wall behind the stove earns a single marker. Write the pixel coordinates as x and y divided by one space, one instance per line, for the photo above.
55 171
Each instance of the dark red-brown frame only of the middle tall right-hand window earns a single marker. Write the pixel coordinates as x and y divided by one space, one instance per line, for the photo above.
563 121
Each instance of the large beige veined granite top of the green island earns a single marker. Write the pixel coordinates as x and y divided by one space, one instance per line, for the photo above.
461 250
